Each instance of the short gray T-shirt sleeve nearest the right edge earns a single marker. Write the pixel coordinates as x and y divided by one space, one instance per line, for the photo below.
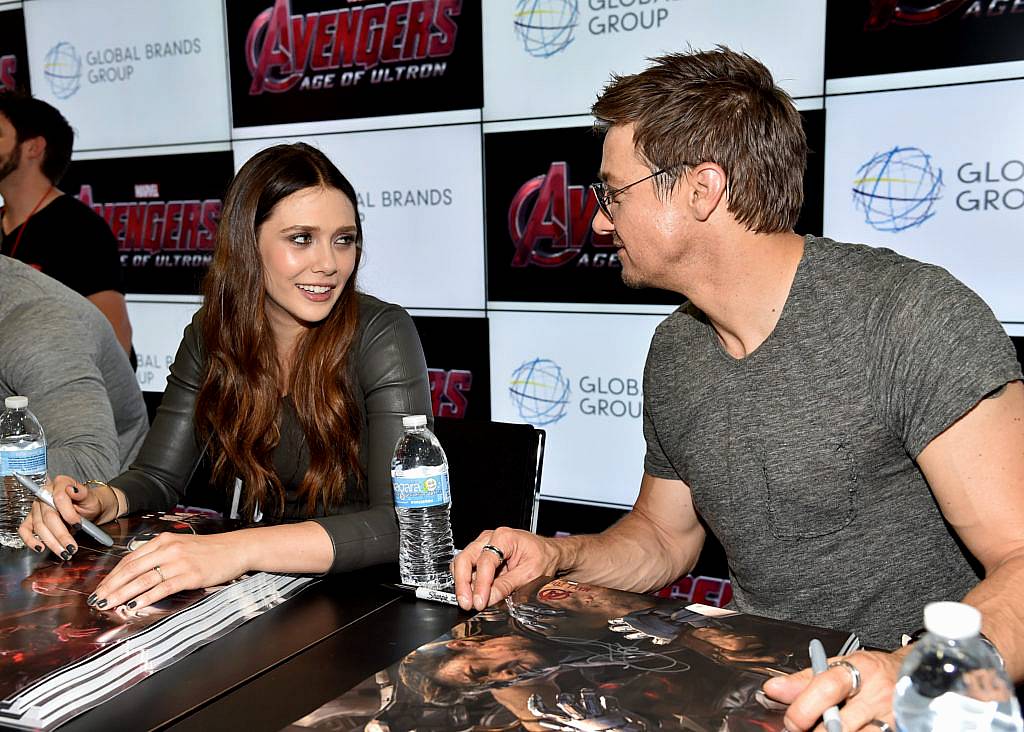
935 351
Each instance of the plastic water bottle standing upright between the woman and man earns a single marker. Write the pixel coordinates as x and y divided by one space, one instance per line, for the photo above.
423 502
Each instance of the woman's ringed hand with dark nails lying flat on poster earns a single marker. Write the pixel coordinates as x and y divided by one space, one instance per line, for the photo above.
168 565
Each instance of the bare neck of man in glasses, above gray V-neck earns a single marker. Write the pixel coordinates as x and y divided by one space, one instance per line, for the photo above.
746 287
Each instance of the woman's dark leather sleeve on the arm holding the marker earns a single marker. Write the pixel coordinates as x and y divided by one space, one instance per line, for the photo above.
157 481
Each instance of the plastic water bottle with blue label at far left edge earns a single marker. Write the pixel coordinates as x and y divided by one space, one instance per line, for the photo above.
23 450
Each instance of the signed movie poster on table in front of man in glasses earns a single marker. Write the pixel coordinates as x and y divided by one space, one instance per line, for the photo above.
566 656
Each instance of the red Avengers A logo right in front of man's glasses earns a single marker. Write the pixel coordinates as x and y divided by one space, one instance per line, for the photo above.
549 224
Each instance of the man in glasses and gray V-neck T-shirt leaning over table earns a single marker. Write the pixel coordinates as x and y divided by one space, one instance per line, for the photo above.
826 409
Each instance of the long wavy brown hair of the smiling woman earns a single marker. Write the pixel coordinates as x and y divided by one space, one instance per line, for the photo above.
239 402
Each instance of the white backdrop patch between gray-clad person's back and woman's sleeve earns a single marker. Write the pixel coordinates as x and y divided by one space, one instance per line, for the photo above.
157 329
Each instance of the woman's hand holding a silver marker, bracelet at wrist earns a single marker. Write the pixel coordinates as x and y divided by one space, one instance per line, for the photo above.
45 528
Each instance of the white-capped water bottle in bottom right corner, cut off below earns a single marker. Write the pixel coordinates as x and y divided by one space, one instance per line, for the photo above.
954 679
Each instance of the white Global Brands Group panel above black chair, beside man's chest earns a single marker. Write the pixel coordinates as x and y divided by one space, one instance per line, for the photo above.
580 377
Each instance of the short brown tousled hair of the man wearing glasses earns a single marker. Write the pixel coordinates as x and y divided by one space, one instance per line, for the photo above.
718 107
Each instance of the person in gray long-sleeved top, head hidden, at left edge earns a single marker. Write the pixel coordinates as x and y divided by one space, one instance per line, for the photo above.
59 351
